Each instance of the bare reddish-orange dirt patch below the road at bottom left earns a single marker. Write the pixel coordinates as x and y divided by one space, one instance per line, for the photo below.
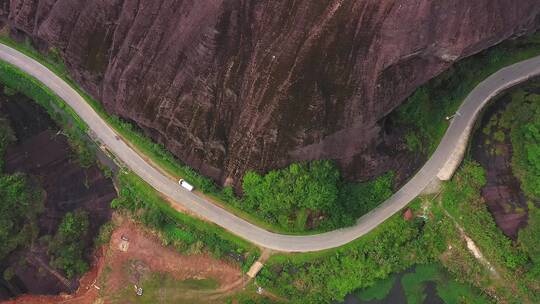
115 270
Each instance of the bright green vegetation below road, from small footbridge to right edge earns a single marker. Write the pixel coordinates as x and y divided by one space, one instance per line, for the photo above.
397 245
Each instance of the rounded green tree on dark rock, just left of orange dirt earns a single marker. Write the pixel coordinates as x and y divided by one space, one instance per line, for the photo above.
68 245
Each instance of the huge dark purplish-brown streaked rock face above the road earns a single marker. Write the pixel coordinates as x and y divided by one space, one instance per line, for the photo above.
230 85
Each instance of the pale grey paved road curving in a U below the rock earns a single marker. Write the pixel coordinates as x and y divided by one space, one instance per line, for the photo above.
445 152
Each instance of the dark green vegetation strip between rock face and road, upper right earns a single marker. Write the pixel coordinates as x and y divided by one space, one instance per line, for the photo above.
424 113
